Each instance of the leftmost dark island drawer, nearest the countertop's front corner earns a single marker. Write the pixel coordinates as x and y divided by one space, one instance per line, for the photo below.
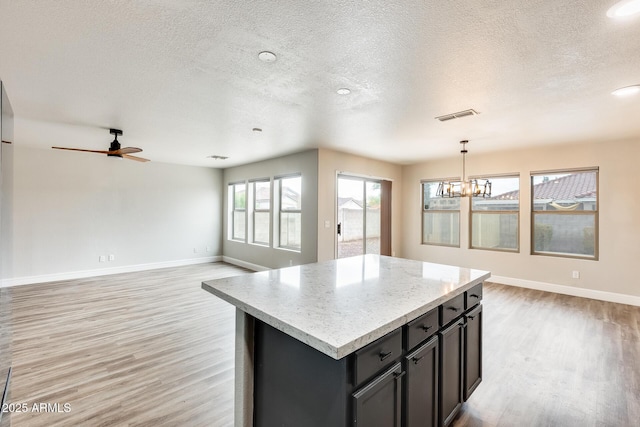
378 355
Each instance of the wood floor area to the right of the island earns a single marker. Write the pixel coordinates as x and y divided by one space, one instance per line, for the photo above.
556 360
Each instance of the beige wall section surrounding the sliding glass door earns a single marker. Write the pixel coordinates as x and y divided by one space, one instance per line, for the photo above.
329 164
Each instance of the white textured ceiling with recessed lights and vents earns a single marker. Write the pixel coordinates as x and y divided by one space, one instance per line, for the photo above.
183 78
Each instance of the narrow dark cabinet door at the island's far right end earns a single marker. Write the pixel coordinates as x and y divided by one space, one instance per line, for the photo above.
472 351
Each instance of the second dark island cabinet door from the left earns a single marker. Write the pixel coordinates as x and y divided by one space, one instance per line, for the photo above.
421 392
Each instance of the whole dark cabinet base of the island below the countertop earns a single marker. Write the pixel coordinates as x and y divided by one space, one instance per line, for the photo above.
415 376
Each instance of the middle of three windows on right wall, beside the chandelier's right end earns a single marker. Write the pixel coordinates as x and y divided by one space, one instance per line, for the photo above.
494 220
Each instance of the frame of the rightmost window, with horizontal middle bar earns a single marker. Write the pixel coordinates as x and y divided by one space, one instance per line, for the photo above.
595 213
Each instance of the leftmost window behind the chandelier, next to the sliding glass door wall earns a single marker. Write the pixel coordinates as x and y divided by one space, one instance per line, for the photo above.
440 217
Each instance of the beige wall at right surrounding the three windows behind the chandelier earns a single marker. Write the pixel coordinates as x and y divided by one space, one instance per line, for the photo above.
619 246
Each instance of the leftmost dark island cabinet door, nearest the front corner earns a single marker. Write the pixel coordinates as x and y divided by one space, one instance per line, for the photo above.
379 403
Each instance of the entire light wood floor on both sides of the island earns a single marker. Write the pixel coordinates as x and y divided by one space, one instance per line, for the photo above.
153 349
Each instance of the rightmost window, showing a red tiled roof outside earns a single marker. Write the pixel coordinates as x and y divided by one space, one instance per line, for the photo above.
565 213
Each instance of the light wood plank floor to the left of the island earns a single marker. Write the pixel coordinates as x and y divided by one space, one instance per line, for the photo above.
145 349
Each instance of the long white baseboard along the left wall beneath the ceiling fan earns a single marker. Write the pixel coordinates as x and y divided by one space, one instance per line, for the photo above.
27 280
